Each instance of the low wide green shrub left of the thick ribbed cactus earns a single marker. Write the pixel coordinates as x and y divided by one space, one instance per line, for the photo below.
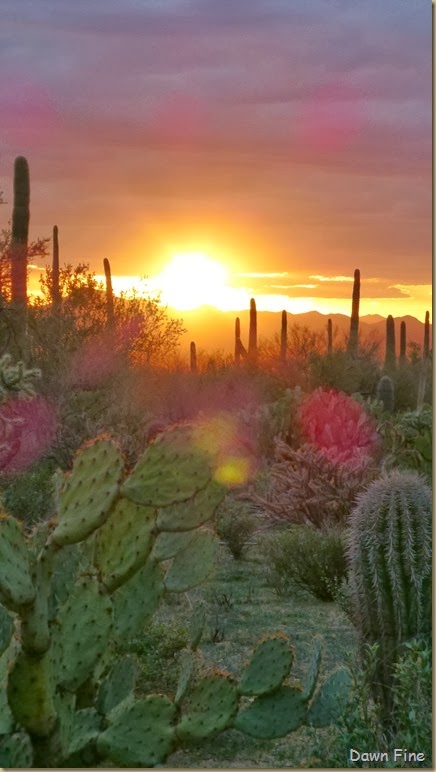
306 557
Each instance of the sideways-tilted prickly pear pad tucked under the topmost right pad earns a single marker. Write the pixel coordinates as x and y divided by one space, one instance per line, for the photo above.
190 514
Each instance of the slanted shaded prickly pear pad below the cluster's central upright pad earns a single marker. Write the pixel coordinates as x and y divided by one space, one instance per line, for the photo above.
137 600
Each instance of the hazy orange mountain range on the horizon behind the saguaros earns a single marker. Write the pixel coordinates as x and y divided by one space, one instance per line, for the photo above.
212 329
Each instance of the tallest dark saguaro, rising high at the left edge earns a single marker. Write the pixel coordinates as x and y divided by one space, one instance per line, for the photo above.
20 232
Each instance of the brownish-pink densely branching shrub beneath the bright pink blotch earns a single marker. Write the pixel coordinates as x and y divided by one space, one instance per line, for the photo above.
307 487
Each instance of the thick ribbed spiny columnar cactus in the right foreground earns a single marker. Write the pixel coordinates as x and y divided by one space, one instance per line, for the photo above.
389 549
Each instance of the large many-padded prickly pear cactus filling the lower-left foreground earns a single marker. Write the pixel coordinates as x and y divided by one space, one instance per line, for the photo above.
73 592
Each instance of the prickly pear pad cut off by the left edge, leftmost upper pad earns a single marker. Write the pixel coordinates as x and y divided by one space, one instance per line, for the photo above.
16 586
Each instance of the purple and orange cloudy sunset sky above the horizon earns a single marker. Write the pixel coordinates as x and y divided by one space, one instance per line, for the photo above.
286 141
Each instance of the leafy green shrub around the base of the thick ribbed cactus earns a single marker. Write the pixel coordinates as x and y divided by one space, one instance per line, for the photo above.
361 726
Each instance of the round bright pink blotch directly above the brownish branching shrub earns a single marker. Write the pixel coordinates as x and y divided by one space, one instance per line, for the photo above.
338 427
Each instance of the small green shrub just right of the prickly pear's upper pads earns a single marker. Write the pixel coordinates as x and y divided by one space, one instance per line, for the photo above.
235 525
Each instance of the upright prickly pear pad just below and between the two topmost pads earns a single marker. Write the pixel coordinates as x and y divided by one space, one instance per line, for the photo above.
122 544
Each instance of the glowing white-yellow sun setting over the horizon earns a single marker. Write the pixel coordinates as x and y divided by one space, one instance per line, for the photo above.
192 279
